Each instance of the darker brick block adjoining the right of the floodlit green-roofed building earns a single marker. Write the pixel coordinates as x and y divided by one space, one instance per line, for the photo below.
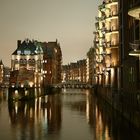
52 60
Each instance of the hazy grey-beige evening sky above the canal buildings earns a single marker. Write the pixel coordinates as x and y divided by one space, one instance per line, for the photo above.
70 21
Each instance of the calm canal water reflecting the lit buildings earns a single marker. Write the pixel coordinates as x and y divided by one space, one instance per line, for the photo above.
73 114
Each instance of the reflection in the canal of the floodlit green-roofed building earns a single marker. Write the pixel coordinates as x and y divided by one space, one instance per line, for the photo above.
37 118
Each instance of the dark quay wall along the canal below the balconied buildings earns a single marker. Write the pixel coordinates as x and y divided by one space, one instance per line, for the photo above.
127 104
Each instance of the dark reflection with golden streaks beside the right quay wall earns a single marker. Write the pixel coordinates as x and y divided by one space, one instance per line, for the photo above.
110 125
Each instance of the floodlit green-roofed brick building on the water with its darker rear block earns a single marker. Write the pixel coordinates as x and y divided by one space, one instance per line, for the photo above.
35 64
